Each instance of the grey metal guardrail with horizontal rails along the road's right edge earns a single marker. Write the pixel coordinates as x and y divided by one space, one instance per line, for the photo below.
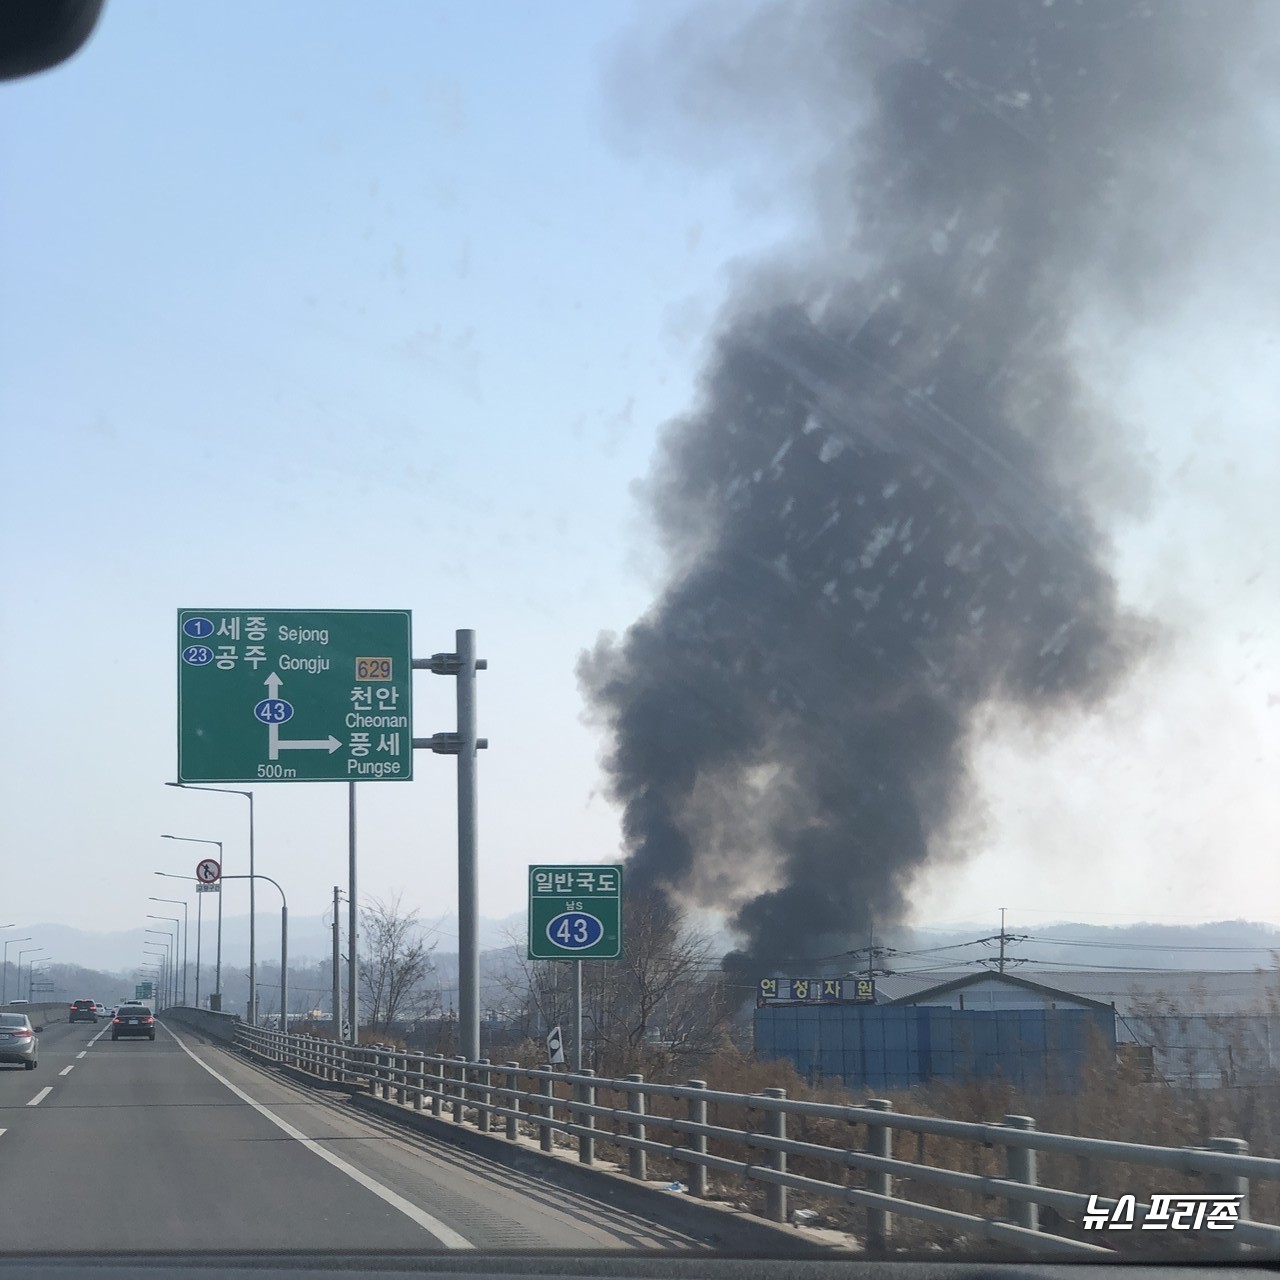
492 1092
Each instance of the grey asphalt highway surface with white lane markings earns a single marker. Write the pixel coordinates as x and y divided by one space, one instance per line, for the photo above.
184 1146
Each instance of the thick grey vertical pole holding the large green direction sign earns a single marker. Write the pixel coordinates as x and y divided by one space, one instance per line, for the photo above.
469 898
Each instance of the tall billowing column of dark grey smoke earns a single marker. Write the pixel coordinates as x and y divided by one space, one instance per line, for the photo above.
886 514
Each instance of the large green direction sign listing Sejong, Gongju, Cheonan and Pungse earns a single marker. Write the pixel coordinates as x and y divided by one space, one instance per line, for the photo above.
295 696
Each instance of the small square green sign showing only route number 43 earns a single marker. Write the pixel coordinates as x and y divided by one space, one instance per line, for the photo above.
575 913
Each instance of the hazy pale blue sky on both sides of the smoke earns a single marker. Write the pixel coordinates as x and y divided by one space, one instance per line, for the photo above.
344 307
